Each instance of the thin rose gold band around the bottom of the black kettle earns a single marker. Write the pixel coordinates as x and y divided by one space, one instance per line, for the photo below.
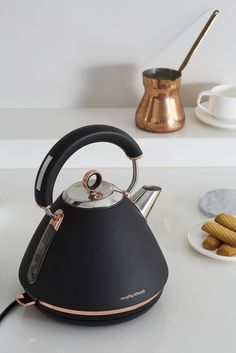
98 313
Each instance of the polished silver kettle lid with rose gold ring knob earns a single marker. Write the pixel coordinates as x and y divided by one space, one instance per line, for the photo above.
92 192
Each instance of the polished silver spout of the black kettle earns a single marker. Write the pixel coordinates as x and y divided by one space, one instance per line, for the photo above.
145 198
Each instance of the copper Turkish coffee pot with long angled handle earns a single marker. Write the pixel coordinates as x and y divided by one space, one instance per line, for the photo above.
160 109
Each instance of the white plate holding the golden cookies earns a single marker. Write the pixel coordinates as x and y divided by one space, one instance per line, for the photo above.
196 236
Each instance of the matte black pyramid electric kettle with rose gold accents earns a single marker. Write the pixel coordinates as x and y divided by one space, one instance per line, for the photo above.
93 256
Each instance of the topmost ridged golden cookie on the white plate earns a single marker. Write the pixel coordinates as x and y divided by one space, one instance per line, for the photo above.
220 232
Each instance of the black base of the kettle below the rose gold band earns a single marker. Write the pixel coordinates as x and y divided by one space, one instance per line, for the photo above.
98 320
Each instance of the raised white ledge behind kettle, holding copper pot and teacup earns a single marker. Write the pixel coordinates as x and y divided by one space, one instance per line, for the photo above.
26 135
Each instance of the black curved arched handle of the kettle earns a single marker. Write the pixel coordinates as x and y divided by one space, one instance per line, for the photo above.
70 143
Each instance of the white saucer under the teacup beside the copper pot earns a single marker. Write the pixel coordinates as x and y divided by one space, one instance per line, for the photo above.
209 119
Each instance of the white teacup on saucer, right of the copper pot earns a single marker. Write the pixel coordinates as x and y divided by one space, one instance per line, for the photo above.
221 102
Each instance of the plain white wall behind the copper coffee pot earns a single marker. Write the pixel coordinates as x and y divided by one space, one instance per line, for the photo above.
78 53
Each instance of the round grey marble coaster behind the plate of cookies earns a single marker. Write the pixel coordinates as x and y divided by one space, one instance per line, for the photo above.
218 201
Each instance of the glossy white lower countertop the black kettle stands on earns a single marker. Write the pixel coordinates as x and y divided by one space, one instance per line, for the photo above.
197 311
